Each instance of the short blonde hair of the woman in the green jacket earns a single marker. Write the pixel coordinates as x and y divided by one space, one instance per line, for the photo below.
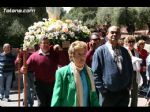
74 47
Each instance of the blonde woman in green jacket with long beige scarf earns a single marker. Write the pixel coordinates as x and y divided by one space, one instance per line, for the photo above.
74 84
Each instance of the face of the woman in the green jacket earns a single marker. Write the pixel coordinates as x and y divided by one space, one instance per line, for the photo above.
79 57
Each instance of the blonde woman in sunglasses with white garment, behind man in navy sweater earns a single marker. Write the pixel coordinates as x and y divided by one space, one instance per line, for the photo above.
136 67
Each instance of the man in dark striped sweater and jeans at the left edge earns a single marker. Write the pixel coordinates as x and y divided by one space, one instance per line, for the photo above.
7 67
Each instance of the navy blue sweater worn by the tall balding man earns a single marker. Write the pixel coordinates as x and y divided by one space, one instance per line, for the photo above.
106 73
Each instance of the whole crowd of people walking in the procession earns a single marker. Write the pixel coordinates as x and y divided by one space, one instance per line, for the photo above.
103 72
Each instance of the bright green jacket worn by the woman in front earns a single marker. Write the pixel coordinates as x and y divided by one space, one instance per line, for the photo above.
64 92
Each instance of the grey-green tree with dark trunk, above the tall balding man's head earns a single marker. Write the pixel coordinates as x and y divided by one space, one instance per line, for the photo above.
121 16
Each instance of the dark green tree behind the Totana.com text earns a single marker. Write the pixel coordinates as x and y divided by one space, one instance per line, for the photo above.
14 25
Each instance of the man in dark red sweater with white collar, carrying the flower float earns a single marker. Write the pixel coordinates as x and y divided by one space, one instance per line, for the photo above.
44 63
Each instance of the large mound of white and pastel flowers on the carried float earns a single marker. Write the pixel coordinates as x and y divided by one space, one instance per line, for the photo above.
56 30
